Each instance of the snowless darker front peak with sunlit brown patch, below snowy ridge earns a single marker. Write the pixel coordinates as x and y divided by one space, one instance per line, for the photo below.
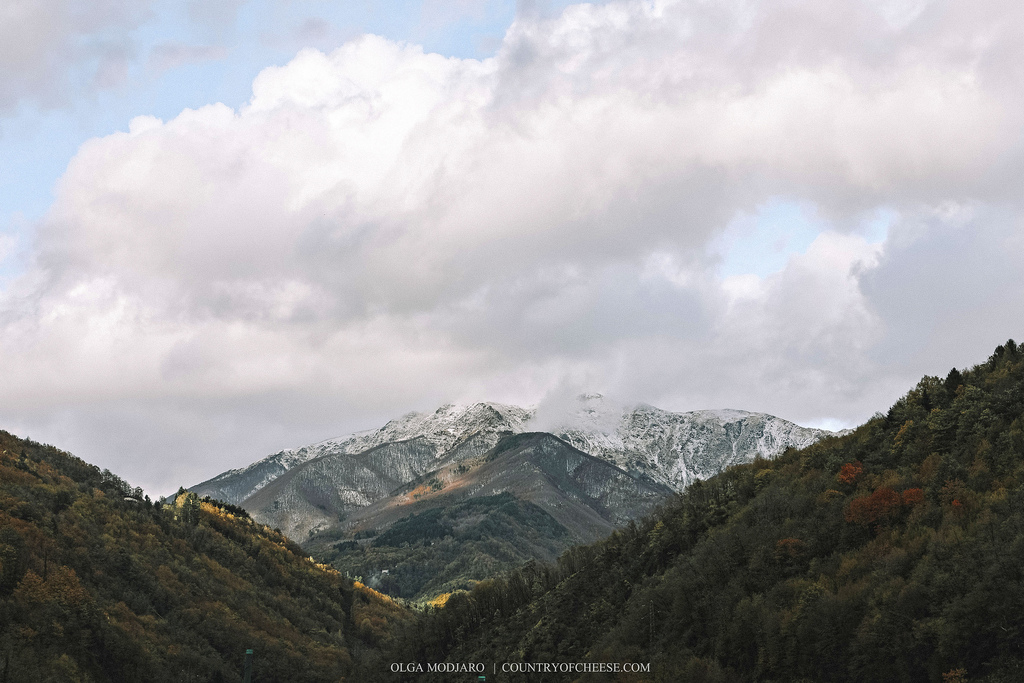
530 498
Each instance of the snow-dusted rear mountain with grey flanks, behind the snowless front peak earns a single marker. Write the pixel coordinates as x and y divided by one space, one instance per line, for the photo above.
313 489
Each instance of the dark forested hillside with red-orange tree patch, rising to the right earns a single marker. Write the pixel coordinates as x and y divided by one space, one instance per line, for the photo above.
895 553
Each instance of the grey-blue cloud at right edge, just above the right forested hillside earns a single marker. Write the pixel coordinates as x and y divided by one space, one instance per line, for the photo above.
958 270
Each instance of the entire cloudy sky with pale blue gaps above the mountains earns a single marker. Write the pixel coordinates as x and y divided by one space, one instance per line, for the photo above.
234 227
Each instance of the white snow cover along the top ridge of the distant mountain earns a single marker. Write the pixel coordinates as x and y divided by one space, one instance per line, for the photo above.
674 449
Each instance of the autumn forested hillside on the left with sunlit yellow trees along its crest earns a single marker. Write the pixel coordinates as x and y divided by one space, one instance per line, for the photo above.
99 584
